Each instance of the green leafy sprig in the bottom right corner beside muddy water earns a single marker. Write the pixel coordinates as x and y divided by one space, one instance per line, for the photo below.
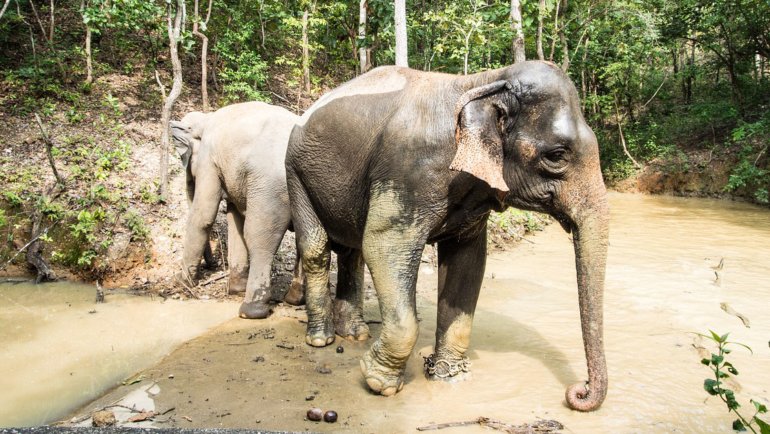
723 369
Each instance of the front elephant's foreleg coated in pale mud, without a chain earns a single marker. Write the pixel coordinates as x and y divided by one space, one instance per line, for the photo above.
392 248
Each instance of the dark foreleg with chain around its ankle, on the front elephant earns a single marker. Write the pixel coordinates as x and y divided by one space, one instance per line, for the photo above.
461 270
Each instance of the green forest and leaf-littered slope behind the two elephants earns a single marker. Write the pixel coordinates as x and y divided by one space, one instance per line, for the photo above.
677 93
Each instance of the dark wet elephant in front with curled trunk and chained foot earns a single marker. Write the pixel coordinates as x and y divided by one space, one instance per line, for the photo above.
396 158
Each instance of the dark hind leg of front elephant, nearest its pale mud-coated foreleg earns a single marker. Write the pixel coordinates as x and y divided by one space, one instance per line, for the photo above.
349 301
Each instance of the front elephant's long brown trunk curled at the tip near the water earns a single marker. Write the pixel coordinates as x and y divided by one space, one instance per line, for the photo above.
590 236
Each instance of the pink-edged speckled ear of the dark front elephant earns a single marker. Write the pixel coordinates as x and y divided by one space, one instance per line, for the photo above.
477 134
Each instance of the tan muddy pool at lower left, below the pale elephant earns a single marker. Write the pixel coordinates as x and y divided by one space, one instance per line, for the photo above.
60 349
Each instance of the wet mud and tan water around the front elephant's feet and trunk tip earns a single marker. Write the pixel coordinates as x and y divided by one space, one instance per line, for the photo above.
526 346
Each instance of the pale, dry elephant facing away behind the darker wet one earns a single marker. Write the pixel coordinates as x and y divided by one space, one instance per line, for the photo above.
238 151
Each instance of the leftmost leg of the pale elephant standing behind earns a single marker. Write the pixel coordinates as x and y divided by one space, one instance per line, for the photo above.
202 213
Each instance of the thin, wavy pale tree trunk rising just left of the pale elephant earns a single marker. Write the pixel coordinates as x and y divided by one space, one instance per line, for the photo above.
174 32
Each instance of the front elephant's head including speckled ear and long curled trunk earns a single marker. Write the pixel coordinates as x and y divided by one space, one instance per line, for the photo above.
526 137
